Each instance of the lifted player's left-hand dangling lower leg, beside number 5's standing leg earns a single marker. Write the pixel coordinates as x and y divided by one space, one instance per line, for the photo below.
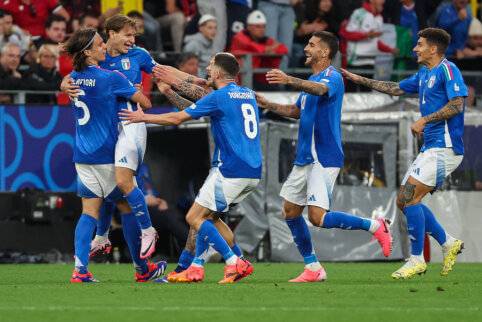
101 243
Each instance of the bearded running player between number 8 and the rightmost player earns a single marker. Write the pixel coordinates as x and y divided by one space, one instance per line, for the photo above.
319 155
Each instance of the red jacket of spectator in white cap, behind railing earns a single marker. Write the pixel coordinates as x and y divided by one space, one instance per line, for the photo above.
243 44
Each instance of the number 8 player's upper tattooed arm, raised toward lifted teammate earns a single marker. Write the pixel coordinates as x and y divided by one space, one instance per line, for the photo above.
168 76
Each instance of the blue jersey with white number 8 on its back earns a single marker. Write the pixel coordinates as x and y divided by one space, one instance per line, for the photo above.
235 128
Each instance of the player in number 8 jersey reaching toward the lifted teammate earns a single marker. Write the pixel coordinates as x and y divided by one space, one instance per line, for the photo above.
236 164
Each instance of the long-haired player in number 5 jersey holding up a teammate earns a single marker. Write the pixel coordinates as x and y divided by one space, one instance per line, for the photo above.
95 110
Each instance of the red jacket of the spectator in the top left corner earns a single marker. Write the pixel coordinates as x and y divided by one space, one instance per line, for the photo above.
31 15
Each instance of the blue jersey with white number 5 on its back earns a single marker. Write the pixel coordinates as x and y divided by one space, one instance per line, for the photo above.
95 112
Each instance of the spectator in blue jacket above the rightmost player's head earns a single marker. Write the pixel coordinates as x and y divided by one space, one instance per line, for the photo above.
455 18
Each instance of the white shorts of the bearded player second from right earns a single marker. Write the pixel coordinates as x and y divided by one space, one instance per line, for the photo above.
310 184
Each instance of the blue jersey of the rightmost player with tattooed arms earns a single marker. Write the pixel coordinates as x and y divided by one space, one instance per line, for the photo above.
435 88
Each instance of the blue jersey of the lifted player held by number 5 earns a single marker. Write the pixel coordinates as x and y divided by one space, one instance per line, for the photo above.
130 64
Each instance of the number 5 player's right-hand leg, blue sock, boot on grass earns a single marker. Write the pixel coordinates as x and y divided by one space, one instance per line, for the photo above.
132 234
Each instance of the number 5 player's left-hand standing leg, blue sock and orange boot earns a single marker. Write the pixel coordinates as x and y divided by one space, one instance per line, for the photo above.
83 234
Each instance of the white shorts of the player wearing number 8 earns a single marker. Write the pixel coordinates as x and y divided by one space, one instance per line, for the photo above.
219 193
